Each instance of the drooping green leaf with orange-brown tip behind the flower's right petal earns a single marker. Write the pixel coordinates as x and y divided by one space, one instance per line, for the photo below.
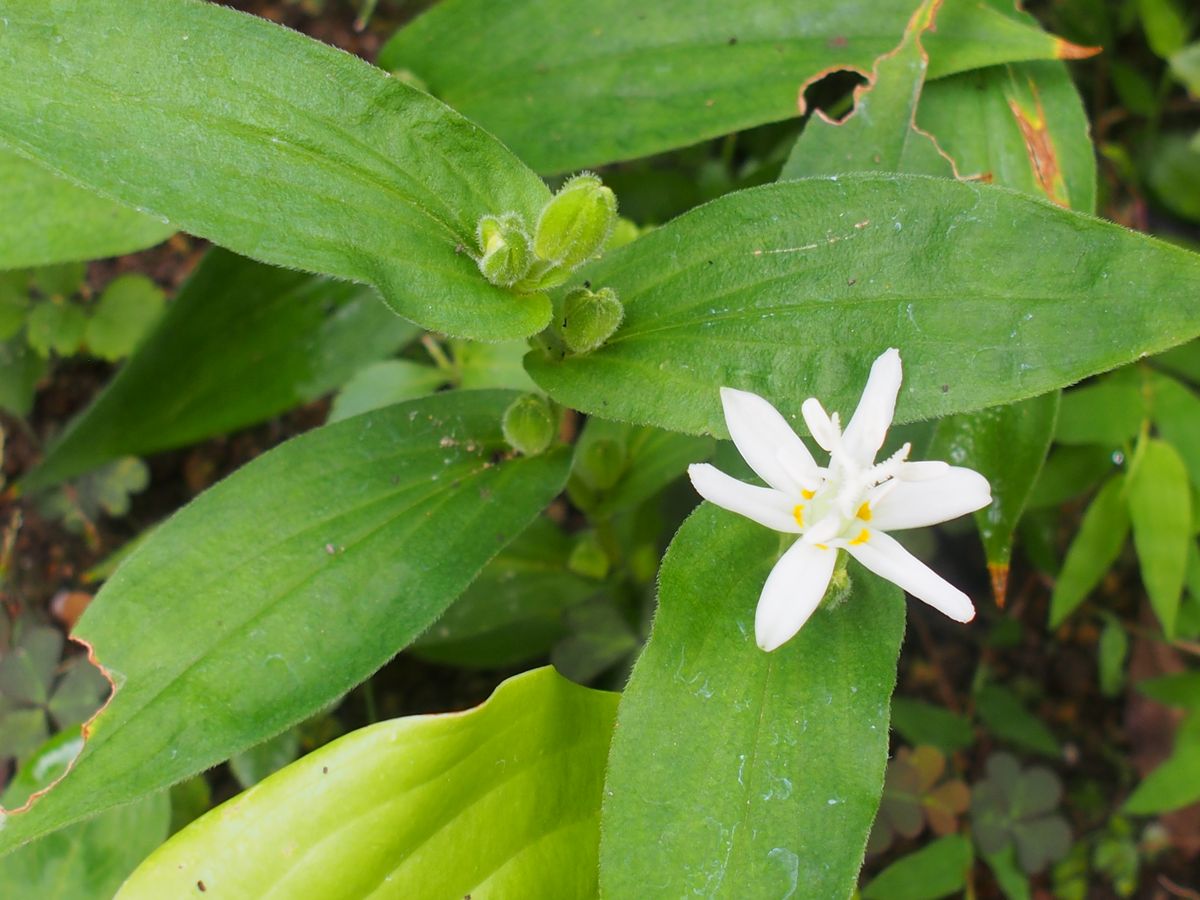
1009 446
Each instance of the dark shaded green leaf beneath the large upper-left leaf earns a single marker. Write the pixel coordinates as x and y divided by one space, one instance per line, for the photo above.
236 323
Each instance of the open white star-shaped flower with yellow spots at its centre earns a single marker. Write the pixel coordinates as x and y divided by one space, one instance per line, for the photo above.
850 505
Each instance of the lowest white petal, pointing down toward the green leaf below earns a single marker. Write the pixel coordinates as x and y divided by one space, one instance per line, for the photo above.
793 592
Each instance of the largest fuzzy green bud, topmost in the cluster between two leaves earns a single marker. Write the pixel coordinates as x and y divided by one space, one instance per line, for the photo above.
578 221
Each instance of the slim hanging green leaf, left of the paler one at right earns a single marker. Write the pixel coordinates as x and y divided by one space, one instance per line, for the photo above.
1096 547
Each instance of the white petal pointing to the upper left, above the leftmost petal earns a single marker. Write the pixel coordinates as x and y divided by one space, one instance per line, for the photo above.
761 436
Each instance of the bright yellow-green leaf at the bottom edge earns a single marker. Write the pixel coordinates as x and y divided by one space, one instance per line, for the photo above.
499 802
